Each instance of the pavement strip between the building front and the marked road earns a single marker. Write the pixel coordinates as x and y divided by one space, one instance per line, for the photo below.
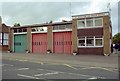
78 60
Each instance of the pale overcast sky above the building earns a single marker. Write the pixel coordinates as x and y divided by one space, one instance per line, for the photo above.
32 12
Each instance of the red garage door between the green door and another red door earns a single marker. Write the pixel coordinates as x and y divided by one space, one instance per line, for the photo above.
39 43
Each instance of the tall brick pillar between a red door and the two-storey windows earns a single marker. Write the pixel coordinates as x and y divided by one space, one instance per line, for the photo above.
74 35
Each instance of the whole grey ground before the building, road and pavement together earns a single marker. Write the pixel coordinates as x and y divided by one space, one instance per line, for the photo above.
52 67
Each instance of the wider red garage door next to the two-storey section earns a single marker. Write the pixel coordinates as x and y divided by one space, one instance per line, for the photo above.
62 42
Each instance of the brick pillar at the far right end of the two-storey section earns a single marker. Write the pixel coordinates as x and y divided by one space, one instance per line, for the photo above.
106 33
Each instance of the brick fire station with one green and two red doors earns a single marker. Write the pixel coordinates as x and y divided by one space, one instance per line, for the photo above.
84 34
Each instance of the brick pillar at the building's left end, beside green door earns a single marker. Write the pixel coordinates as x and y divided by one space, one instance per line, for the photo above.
10 39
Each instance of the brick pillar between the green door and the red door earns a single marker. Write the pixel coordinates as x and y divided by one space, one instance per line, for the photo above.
29 40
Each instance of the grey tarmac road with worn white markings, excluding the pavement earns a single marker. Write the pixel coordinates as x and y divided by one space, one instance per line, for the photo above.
17 69
